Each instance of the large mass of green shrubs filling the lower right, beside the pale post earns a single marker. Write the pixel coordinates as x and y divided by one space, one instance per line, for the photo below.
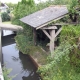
66 62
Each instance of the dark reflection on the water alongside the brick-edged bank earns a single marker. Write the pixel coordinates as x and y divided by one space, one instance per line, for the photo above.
28 67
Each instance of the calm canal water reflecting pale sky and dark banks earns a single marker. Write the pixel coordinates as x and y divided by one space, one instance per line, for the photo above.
20 64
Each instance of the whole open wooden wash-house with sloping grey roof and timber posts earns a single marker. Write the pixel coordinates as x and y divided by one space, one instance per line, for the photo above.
40 20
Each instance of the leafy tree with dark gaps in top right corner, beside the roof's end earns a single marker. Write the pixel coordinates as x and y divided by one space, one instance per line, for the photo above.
73 12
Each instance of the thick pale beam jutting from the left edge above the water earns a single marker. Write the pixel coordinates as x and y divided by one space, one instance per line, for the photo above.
10 27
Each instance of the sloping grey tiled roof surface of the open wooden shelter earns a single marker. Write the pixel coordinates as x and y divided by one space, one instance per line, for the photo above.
44 16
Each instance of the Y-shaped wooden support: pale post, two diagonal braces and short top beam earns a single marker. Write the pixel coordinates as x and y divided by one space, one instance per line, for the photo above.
52 36
